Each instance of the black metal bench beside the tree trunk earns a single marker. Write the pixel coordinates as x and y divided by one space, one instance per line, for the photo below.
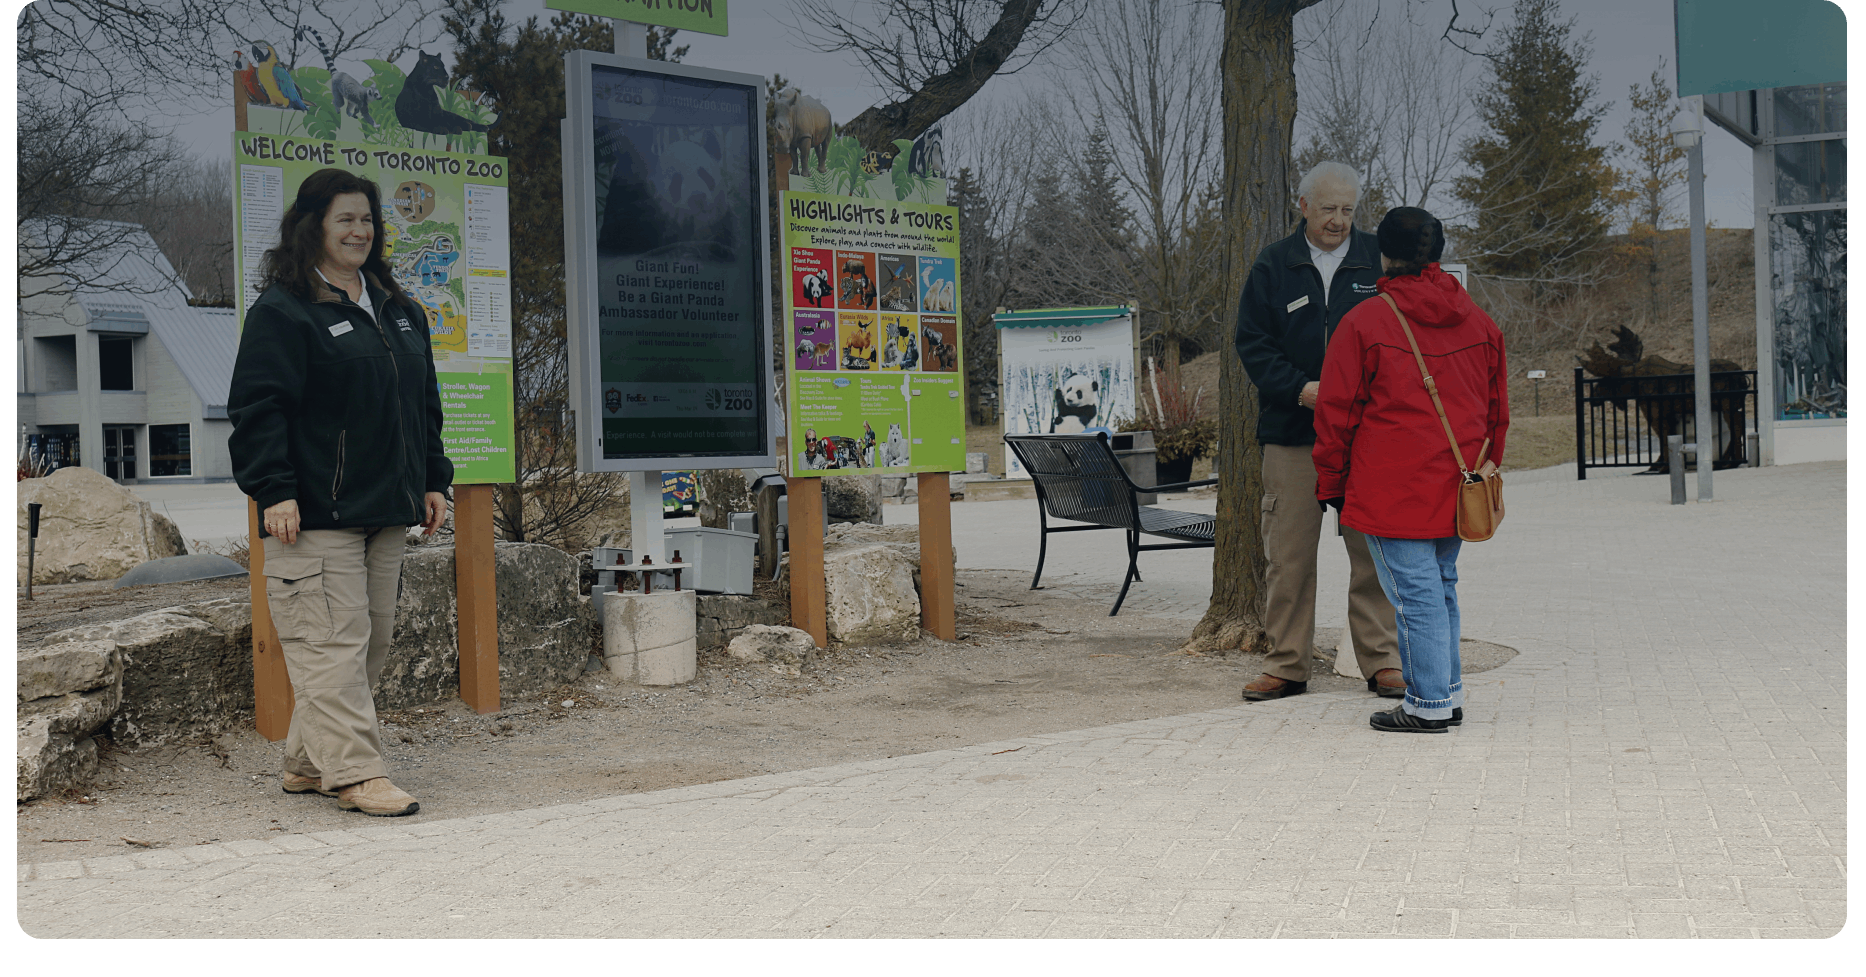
1079 478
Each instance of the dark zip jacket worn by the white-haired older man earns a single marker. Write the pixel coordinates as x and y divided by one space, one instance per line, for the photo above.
1285 325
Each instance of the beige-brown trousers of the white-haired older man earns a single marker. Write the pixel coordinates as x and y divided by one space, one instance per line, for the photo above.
1292 536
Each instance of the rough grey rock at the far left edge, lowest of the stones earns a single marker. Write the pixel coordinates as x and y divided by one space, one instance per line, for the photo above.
63 696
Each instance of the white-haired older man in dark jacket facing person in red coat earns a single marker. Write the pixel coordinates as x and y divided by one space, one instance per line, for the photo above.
1298 292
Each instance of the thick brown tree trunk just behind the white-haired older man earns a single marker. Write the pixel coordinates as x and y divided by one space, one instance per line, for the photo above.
1259 124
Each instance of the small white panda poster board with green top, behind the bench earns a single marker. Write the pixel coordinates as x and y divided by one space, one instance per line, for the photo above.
1066 372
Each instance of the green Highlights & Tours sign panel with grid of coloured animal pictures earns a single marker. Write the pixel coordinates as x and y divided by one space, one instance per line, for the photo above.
874 370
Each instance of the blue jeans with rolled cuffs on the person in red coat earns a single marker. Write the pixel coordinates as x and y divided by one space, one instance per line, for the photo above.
1421 579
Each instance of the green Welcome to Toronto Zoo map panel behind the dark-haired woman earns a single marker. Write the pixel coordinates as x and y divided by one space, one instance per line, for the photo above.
449 245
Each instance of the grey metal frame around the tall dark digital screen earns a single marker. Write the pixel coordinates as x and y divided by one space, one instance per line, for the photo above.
583 331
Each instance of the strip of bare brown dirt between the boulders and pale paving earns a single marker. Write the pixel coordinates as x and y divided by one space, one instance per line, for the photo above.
1027 663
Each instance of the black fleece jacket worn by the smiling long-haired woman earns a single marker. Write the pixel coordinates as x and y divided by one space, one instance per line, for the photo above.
337 411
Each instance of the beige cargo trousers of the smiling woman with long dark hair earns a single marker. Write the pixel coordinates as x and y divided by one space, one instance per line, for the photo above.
333 598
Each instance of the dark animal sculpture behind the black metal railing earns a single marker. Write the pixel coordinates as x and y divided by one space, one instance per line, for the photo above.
1634 376
